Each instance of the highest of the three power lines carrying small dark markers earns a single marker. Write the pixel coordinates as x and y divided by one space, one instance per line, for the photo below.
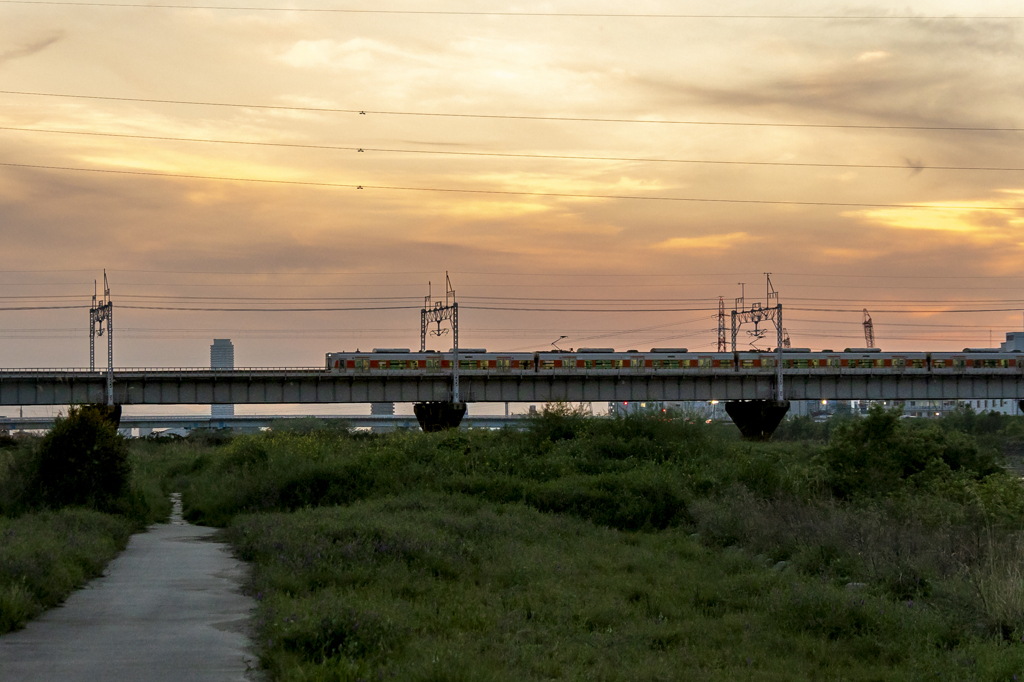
508 117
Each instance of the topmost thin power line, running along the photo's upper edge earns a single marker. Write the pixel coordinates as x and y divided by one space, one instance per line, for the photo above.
442 13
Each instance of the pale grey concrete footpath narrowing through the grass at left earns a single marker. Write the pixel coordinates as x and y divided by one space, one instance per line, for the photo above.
169 608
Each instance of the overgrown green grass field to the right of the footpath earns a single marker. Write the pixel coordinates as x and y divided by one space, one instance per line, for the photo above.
633 549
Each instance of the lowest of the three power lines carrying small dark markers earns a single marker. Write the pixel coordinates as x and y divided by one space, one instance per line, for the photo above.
509 193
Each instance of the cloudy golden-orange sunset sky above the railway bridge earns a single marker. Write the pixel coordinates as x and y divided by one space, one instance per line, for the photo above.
845 170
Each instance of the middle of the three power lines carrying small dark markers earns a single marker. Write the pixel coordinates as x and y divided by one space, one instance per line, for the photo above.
504 155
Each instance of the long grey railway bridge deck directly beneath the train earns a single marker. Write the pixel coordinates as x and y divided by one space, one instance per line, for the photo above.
310 386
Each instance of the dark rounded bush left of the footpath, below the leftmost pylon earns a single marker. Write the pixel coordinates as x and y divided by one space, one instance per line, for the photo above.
83 461
